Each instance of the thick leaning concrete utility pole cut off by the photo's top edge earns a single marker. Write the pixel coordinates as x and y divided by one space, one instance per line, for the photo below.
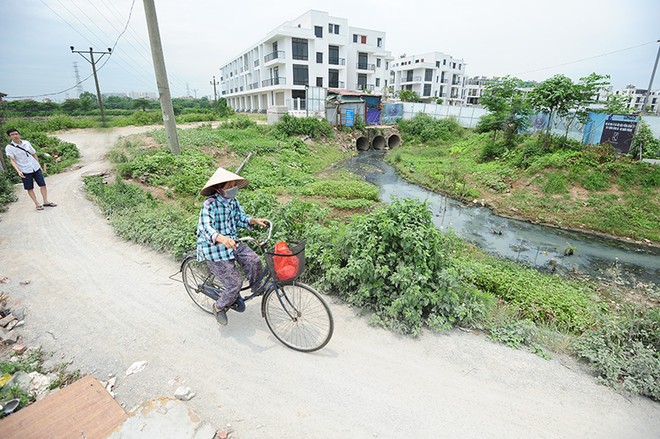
161 77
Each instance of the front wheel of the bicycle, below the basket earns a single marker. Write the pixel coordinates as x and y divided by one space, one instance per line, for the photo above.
298 316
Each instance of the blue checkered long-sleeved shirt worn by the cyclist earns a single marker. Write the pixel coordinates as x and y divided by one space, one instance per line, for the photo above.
219 216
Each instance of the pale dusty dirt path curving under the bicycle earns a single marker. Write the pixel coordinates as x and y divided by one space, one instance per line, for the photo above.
105 303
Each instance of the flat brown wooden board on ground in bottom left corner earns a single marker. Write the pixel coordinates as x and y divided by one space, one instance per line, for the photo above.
83 409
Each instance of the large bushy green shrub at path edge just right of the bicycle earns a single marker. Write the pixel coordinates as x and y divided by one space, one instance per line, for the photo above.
396 263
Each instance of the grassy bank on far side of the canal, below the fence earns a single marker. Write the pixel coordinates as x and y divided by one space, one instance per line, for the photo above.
556 182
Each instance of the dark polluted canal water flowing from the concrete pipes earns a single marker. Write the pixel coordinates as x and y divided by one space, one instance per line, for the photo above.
532 244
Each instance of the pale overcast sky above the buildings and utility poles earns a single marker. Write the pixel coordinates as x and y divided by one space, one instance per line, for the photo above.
529 39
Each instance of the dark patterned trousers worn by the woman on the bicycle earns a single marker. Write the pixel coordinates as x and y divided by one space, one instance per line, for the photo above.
229 275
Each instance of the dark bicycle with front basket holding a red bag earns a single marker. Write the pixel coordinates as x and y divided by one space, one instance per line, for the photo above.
295 313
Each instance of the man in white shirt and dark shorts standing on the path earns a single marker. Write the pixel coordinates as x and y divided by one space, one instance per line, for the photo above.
23 158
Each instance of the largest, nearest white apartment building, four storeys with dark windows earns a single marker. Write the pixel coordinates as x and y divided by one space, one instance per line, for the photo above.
314 49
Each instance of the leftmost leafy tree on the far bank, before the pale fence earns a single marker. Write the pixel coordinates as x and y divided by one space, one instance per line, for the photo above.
508 107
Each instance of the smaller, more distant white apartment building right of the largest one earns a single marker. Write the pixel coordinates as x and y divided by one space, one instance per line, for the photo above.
431 75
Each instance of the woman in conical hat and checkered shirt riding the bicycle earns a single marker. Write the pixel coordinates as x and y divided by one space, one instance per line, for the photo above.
217 235
